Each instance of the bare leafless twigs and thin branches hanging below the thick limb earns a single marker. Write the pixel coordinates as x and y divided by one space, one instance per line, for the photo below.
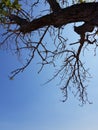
73 74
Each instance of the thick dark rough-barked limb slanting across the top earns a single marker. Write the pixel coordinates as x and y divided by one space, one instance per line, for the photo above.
76 13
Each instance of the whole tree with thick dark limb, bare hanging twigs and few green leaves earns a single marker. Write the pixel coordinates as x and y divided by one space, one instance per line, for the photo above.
22 26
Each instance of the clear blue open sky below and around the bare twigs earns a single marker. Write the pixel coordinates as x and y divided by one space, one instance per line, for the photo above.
25 104
